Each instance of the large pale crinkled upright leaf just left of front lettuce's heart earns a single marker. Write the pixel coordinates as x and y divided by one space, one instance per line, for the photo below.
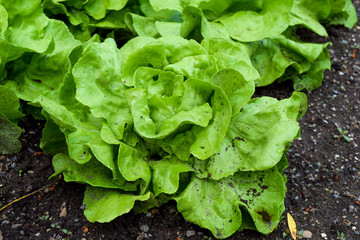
97 76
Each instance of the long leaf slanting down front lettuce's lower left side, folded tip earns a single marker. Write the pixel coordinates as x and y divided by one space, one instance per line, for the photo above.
82 130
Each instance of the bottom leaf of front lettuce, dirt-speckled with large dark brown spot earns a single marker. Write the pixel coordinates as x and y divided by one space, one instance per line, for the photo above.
220 205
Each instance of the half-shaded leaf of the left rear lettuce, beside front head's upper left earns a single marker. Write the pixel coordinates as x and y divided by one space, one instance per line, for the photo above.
44 72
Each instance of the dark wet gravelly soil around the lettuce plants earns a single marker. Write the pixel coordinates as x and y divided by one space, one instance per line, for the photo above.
323 177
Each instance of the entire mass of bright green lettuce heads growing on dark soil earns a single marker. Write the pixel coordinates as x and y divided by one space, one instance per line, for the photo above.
169 114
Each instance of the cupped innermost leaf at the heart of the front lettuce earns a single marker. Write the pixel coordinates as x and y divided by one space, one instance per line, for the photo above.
157 112
